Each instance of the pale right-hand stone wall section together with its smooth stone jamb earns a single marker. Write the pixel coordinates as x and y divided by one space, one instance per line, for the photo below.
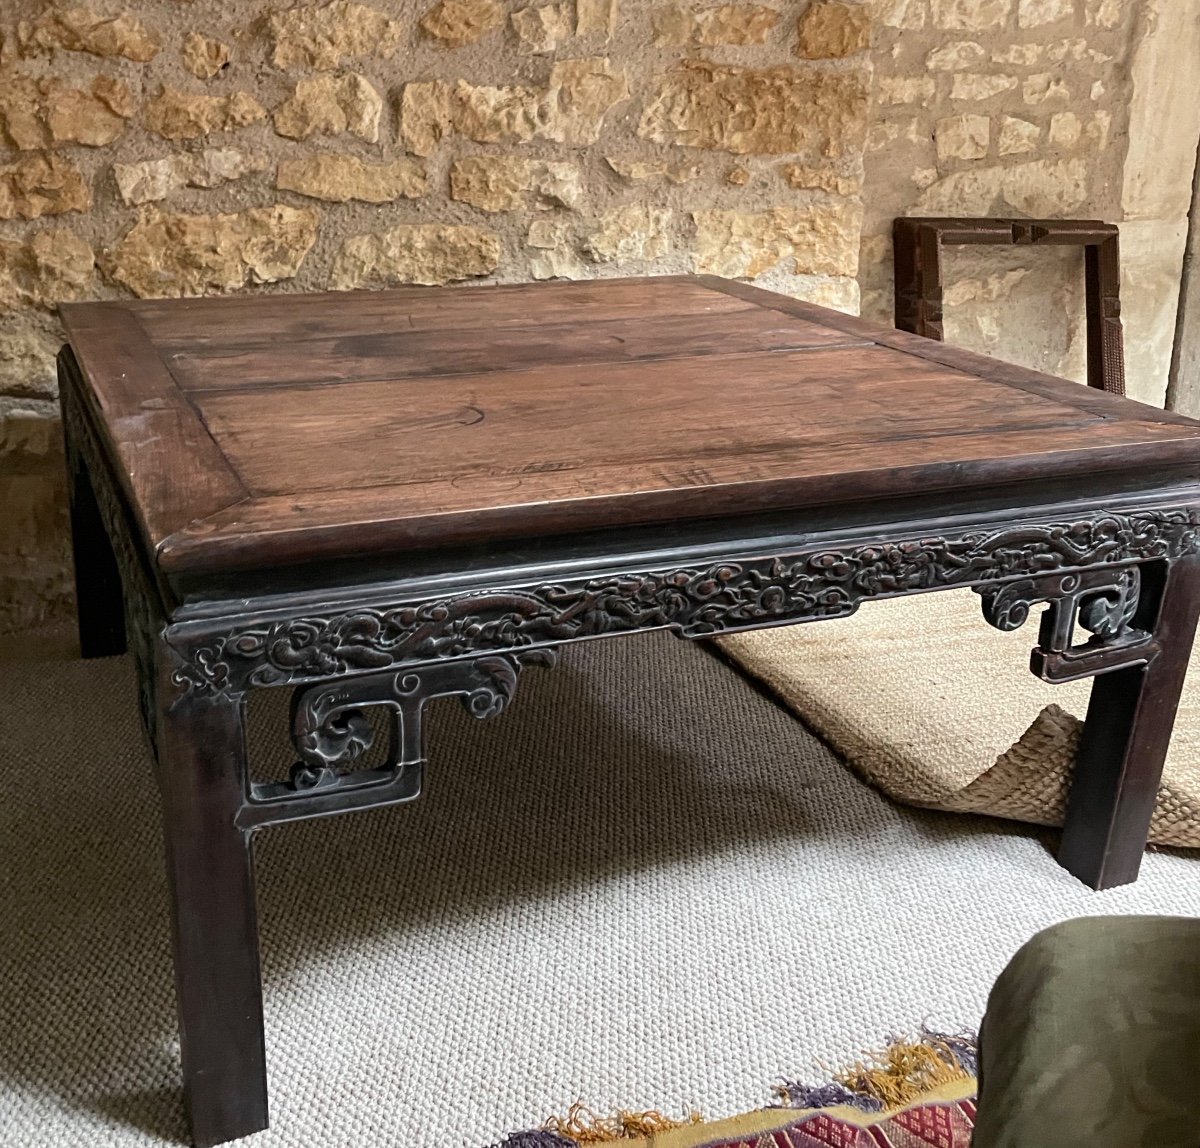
1069 109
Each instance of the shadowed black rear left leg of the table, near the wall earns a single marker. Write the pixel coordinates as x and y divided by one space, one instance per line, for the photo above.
99 603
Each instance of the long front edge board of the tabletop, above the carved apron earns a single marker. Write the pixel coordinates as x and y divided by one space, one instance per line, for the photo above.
274 531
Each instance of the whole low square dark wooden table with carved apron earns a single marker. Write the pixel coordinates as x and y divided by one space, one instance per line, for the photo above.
375 500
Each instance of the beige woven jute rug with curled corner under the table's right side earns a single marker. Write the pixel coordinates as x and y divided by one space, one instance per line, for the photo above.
937 708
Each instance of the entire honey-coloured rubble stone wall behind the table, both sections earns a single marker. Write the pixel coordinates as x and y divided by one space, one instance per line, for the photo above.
233 146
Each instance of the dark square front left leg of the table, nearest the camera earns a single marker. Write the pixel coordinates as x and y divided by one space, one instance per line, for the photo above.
202 760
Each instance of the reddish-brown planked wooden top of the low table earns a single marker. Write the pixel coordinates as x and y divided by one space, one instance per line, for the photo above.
269 430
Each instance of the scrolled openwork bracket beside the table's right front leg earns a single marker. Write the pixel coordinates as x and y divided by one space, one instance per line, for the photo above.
1103 602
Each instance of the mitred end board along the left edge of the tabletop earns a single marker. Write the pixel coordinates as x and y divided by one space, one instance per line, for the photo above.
164 455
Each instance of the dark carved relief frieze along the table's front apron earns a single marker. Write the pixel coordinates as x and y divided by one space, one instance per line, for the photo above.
695 602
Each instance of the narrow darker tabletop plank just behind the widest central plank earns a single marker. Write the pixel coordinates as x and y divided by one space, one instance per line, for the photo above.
446 351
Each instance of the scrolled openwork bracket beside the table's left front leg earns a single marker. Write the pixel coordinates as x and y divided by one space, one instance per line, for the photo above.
331 731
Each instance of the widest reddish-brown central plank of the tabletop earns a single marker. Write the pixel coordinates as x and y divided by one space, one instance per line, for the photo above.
713 413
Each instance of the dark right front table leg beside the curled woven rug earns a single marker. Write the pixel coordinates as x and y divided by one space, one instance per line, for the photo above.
1126 736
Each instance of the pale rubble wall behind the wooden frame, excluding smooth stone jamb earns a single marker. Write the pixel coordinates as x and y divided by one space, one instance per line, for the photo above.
1000 110
